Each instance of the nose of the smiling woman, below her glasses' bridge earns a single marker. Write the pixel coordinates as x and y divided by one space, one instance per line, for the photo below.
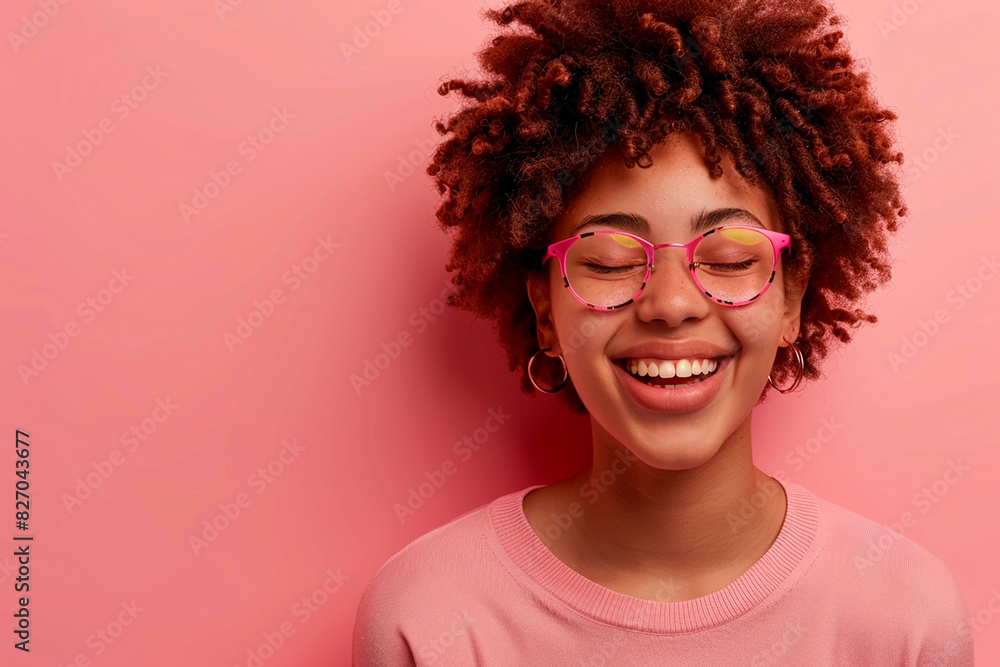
671 294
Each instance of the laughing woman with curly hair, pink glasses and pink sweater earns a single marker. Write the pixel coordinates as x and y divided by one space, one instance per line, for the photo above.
730 261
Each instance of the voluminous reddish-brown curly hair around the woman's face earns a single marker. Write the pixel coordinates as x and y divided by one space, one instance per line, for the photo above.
771 82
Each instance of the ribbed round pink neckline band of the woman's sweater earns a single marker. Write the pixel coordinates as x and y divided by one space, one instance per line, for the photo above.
534 560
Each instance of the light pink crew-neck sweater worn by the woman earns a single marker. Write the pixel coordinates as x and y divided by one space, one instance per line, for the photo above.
834 588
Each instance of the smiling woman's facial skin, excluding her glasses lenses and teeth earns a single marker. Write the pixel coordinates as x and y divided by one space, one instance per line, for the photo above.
667 428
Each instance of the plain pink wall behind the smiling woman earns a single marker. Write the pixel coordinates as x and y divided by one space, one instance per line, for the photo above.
157 411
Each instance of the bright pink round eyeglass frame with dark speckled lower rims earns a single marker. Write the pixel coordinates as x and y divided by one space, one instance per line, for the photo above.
779 241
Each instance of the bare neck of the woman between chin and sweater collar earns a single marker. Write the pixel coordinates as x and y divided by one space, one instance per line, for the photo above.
664 535
